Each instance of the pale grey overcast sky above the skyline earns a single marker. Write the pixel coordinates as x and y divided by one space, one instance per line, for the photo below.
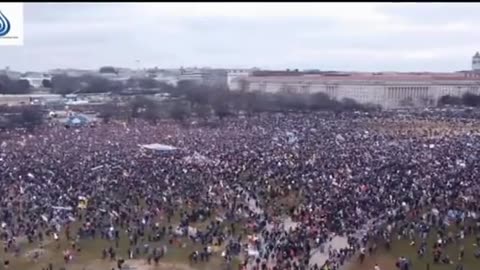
339 36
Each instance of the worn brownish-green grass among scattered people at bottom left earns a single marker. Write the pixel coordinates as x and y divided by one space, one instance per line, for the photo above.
90 256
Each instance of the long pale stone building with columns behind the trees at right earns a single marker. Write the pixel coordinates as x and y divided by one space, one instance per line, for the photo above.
387 89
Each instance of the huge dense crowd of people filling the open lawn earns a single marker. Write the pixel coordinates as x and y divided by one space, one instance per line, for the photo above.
344 172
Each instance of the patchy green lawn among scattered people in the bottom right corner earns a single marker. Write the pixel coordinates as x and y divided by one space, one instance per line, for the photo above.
386 260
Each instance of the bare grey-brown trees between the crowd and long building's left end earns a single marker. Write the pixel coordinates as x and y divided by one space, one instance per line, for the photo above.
202 102
